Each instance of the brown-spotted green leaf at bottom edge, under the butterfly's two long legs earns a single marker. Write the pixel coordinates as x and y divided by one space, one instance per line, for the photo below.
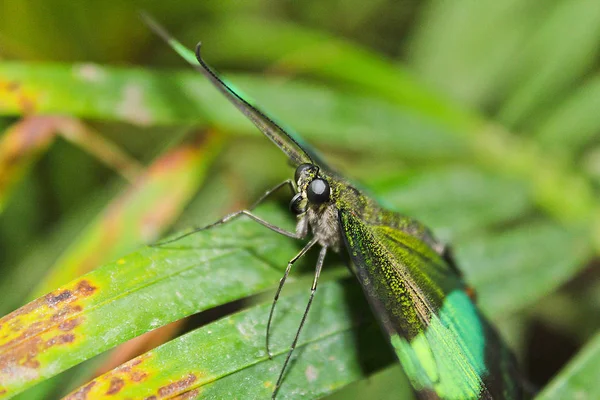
228 358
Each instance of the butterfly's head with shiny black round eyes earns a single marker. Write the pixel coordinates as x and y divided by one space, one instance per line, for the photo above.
313 190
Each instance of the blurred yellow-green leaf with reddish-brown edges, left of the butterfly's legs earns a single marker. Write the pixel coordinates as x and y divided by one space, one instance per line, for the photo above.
140 213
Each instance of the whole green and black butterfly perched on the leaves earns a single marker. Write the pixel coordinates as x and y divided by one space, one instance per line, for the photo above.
446 346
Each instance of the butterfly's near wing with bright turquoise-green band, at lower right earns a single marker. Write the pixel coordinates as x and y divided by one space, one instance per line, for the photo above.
445 345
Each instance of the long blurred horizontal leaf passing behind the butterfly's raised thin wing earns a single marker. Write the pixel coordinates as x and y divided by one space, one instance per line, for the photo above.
146 97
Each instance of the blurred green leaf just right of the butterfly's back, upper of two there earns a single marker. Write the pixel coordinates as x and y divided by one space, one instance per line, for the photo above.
455 200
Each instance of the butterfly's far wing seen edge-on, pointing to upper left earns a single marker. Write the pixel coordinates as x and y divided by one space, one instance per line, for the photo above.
292 145
